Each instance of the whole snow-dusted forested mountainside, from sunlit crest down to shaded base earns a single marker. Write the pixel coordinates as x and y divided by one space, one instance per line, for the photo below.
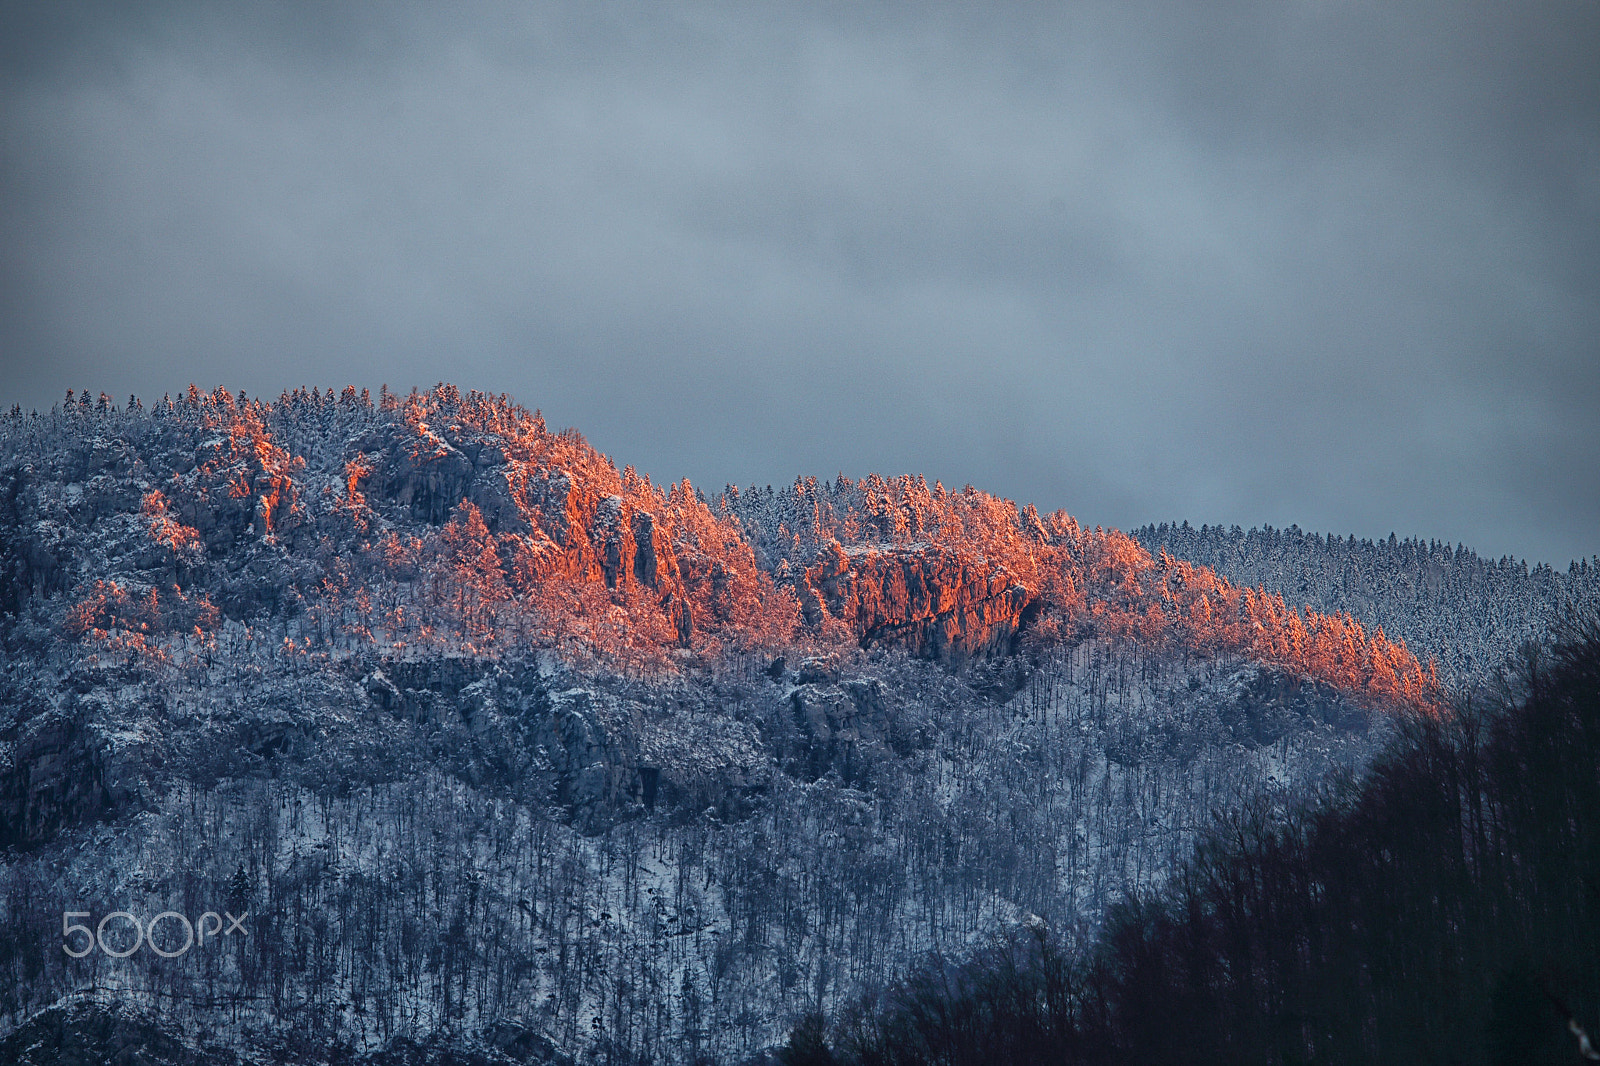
518 756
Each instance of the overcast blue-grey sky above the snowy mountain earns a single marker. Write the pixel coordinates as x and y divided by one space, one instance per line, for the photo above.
1298 262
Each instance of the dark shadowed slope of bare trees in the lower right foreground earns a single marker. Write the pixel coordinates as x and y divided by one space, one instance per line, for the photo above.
1444 912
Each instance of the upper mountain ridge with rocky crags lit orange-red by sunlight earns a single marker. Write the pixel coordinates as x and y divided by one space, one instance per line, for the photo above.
473 502
